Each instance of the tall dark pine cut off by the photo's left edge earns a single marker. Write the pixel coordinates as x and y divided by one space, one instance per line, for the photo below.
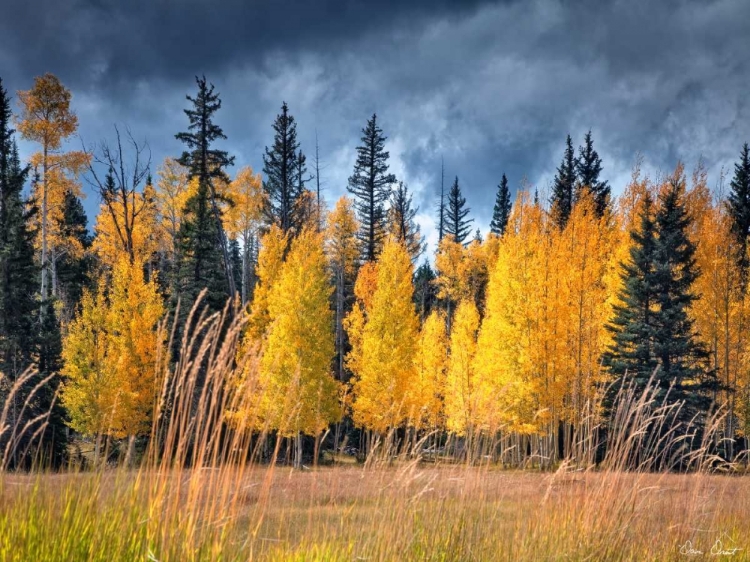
22 341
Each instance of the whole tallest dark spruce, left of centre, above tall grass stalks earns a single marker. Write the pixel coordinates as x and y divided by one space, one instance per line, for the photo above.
202 233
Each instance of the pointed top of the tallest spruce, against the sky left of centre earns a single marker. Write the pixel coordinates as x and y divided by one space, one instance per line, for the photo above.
202 161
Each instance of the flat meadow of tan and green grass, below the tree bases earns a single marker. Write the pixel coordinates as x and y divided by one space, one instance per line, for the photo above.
403 512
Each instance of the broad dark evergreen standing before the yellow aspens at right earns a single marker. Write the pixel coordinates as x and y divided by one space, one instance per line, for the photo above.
652 327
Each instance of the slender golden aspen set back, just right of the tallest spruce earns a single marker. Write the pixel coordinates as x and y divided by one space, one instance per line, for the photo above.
243 219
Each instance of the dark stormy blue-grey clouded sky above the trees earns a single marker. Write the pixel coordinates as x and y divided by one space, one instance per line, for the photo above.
490 87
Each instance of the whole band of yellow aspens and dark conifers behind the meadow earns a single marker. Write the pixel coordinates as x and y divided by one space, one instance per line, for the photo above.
513 336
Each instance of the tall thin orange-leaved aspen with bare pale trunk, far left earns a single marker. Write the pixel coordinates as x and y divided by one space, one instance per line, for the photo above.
46 118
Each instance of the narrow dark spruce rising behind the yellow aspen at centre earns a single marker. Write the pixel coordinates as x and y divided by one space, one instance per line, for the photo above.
370 184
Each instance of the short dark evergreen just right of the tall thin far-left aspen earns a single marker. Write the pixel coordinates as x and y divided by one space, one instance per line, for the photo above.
73 269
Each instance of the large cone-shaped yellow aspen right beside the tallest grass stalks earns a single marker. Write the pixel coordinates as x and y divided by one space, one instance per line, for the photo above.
299 394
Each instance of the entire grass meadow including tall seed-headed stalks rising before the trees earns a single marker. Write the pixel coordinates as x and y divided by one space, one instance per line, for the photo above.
201 491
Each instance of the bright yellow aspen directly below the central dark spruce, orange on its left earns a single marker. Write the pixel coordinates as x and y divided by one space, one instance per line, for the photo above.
383 360
